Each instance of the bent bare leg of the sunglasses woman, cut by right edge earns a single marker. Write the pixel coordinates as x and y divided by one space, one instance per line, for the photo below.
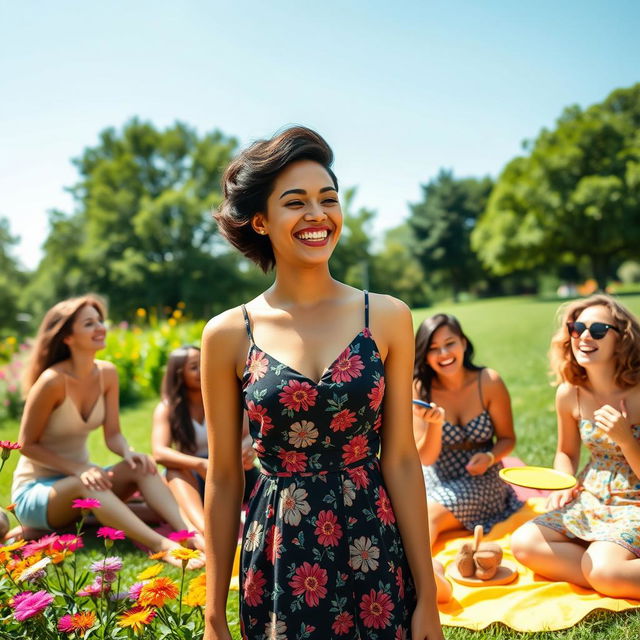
612 570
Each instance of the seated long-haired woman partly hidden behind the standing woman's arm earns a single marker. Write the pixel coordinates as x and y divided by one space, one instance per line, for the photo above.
179 435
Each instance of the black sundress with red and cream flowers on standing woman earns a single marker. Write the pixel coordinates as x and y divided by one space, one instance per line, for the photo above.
321 553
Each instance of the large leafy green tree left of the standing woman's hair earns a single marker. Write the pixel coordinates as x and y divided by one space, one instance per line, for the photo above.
142 233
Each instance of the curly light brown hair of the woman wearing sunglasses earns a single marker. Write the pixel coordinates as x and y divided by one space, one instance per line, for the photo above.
627 366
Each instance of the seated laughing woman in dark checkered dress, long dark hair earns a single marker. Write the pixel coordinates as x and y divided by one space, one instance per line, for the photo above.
466 432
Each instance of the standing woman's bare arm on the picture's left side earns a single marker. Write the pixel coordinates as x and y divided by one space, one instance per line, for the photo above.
222 340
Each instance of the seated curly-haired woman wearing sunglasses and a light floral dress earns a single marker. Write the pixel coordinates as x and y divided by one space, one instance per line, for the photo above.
591 537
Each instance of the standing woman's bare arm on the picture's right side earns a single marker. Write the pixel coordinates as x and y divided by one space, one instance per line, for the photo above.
399 458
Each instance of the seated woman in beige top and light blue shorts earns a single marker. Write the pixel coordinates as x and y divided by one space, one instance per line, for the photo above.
68 394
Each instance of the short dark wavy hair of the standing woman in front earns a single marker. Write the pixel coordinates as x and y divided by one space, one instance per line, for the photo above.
248 182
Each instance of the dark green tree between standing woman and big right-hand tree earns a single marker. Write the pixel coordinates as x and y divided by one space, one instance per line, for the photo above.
442 224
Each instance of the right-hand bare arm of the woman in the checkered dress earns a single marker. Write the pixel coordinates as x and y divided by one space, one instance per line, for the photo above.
498 403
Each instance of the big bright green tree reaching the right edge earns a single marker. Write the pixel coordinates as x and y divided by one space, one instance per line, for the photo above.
575 196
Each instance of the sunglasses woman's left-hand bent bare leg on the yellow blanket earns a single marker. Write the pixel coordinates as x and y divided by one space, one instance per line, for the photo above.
549 553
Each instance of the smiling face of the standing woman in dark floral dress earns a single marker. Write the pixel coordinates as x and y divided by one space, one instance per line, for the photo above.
303 218
